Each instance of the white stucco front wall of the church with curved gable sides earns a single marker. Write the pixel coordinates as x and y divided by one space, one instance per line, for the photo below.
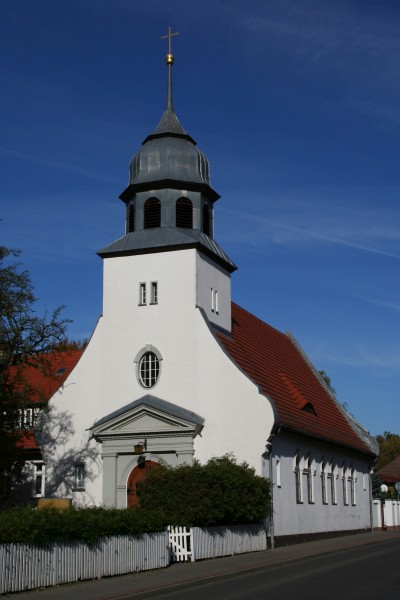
196 374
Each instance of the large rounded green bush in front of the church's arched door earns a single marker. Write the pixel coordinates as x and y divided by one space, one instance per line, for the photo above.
221 492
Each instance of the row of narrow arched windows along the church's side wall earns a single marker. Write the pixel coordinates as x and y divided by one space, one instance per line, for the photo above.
305 471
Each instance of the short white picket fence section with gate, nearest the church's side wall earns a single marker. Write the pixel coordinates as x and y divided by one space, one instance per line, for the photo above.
199 543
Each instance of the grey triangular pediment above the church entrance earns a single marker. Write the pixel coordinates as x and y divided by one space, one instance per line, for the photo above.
148 415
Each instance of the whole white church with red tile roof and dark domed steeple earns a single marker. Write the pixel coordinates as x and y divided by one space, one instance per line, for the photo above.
175 367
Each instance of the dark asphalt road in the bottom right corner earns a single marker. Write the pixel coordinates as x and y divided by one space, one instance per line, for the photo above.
363 573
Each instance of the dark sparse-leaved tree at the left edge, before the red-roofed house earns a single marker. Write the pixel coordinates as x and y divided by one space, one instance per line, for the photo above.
26 340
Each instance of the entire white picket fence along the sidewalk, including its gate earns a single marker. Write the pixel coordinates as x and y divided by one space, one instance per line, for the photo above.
24 567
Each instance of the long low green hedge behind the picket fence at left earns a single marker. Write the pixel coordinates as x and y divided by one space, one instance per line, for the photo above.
27 526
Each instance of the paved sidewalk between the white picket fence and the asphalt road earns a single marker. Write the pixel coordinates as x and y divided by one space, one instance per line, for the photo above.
184 573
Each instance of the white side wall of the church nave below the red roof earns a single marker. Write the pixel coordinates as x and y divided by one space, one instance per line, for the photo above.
292 518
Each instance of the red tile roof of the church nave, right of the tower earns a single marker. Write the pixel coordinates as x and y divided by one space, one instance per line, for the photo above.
274 361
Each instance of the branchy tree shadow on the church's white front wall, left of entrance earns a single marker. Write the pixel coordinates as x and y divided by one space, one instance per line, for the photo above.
53 435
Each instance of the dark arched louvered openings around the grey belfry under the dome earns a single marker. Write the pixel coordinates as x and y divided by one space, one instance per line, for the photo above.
183 215
